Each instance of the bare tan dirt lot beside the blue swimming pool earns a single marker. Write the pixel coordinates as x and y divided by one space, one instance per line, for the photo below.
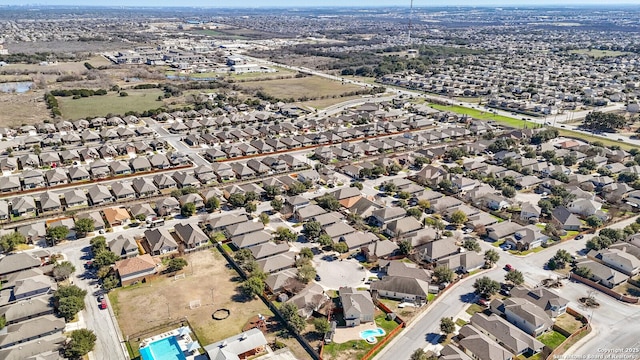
140 307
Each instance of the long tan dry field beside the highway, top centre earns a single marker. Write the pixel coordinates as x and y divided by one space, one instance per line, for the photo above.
310 87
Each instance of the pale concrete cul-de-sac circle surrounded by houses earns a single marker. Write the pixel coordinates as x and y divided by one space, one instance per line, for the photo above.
336 273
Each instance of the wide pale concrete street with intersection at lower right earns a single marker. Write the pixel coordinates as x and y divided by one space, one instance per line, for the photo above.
607 319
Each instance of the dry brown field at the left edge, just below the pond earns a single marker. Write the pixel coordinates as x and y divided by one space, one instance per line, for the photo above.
27 108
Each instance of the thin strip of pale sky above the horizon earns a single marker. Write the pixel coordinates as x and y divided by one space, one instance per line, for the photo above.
302 3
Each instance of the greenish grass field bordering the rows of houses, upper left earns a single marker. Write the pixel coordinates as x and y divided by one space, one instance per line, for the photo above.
112 103
